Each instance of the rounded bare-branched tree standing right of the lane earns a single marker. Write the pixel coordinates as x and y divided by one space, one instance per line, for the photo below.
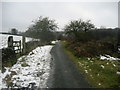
78 26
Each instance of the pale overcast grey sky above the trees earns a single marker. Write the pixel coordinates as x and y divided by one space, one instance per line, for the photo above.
20 15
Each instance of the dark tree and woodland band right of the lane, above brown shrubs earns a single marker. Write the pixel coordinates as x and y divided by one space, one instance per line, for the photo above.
84 31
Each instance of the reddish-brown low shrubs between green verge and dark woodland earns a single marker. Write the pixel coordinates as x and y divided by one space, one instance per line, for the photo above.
91 48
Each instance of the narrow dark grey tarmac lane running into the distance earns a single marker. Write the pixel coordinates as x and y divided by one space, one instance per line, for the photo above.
65 74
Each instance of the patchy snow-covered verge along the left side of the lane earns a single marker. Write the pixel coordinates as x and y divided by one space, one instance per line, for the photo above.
32 68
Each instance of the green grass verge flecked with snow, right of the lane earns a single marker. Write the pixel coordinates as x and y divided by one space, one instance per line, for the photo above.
99 73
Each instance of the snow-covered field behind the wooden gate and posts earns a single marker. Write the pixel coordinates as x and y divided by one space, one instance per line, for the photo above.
4 39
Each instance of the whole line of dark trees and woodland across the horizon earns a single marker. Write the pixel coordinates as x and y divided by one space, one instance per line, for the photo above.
45 29
